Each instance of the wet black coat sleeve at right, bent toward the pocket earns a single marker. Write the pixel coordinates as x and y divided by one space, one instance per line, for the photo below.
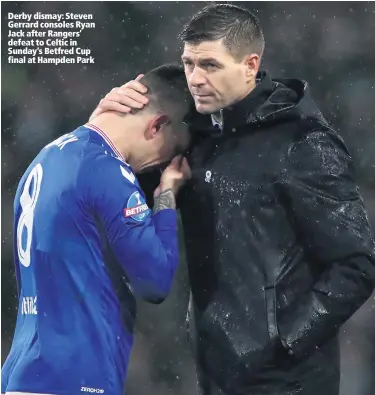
324 204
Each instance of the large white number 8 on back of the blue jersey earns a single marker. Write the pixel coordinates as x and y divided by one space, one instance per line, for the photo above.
25 222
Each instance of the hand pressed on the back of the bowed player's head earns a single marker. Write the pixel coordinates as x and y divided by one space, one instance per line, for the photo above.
123 99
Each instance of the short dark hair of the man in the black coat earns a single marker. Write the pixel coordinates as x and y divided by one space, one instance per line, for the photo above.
238 27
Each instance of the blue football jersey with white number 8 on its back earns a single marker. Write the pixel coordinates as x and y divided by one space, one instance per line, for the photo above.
85 246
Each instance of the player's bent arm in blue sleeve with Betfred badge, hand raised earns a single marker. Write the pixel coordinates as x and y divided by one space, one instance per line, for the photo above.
145 243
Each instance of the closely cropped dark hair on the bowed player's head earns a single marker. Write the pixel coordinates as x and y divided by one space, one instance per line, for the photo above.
168 91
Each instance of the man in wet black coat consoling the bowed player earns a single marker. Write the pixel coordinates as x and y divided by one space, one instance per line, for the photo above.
279 247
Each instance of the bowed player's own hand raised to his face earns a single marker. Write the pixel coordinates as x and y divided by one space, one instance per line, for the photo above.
174 176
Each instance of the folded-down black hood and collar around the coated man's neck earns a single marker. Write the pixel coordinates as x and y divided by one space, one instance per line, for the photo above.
271 100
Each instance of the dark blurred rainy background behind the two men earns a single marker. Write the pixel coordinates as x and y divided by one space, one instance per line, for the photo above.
331 45
